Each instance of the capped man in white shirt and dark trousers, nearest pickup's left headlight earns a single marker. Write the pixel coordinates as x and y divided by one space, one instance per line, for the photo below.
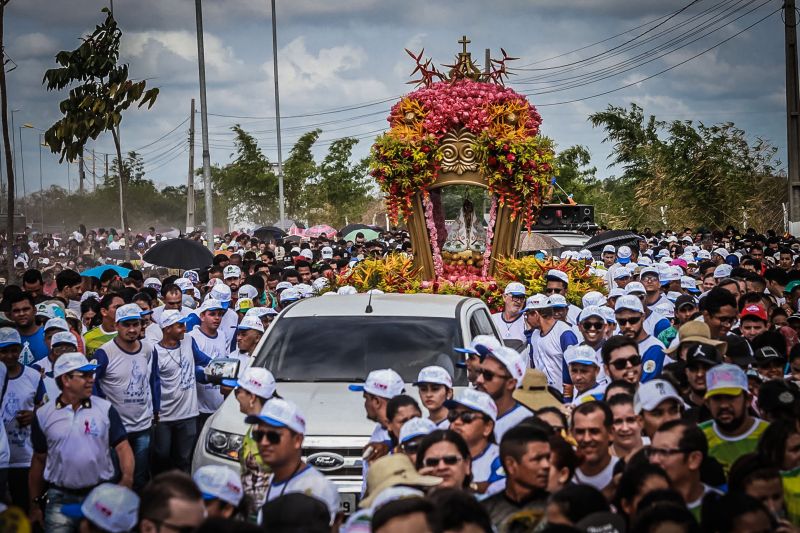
180 363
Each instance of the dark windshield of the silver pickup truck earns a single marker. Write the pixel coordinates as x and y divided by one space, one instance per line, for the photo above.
347 348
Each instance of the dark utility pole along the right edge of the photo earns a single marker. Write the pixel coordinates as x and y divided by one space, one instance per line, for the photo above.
792 109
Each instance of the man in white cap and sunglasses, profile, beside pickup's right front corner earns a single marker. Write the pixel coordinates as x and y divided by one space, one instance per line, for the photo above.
500 374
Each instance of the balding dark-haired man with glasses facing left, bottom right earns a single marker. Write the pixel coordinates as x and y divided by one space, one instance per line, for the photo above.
680 447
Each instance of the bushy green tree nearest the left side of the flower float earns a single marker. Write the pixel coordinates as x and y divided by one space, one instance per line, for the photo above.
342 190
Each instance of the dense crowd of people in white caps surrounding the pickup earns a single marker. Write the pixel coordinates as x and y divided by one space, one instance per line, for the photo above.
668 402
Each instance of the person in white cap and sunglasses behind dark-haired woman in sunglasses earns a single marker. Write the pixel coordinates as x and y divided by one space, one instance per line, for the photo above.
472 415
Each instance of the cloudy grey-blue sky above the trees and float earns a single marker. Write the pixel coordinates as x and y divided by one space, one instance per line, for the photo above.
340 59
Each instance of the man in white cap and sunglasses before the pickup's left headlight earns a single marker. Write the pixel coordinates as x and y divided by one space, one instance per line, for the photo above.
279 434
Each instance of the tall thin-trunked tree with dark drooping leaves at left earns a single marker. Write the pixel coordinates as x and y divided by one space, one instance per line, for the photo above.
100 91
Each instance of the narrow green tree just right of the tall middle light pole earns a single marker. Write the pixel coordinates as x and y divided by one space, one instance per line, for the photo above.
299 170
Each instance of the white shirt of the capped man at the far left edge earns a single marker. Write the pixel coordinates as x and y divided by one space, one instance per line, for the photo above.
22 394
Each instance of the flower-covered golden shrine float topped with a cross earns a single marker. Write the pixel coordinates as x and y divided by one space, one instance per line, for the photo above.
459 128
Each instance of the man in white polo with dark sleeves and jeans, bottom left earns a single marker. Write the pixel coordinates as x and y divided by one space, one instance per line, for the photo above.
72 440
